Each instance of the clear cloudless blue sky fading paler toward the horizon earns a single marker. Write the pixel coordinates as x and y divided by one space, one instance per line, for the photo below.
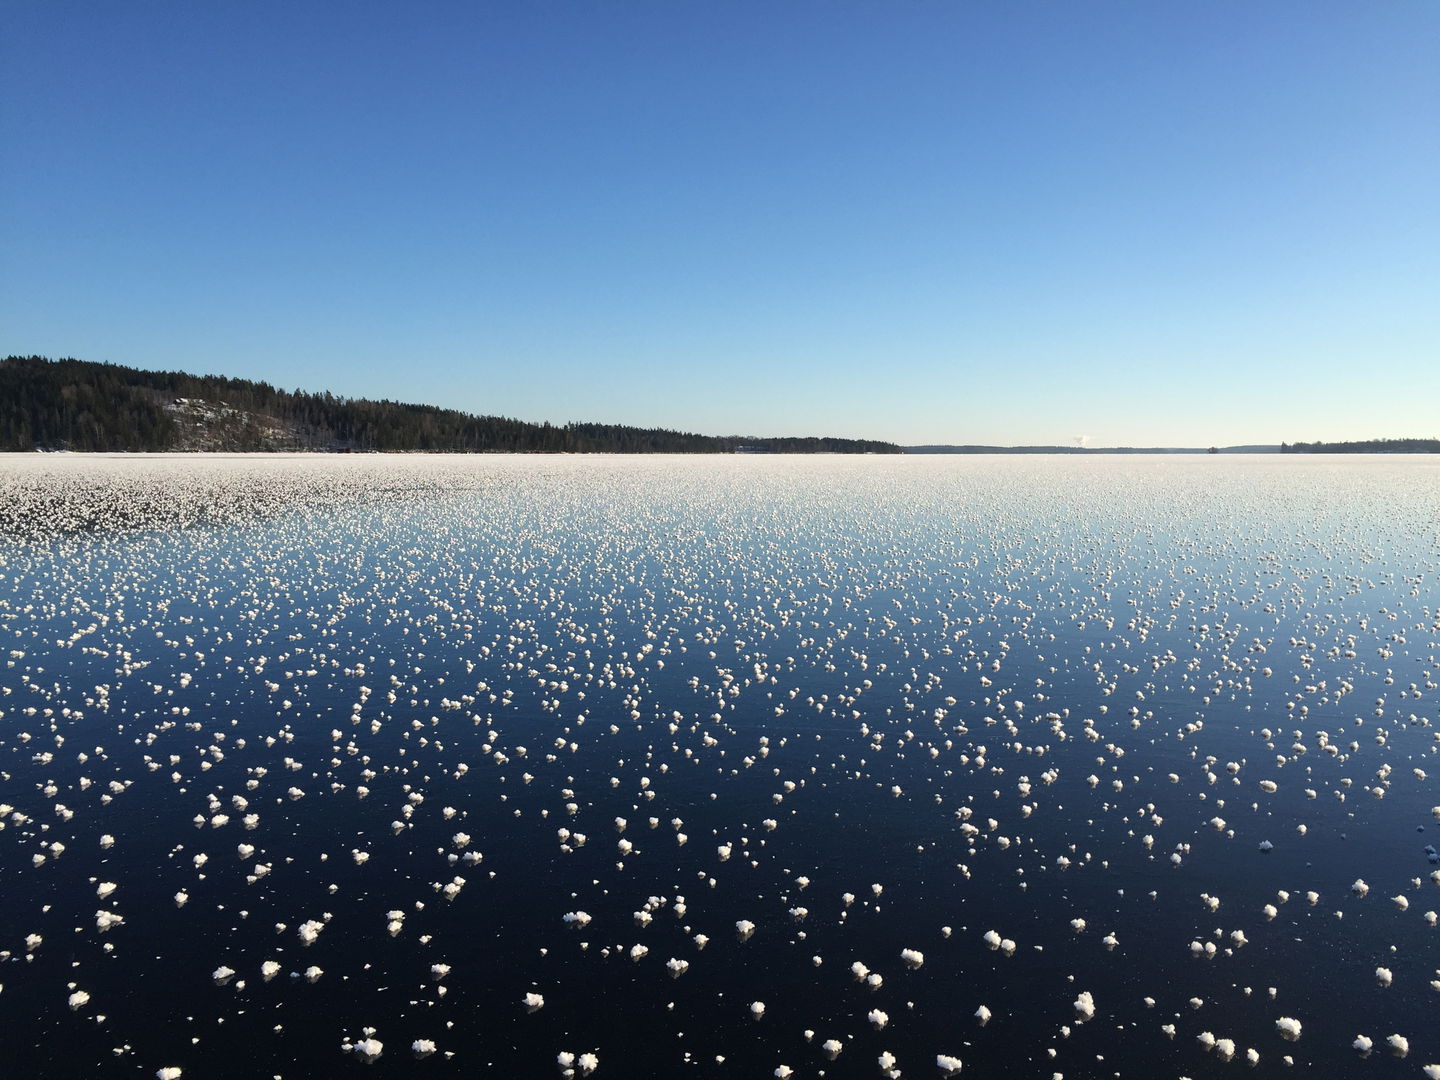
963 221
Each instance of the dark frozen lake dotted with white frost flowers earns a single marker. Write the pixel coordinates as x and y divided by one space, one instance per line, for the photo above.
737 767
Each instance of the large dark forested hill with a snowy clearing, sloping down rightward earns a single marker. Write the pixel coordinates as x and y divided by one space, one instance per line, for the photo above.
90 407
